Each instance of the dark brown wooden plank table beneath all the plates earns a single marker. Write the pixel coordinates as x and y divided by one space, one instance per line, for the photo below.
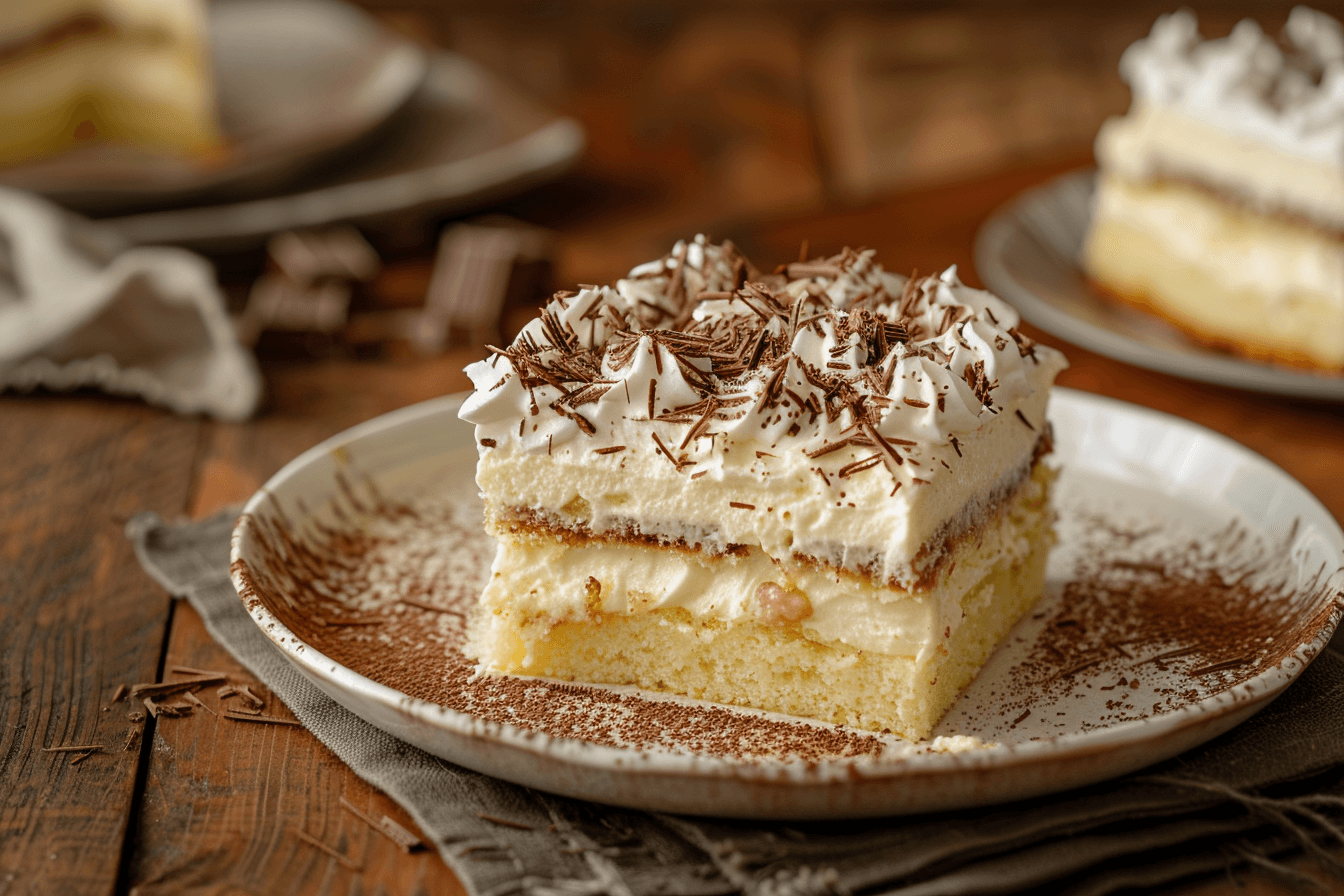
851 127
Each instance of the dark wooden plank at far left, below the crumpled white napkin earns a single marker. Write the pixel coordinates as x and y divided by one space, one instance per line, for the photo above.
79 620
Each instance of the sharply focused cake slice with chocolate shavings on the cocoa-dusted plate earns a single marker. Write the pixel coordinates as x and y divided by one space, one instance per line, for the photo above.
819 492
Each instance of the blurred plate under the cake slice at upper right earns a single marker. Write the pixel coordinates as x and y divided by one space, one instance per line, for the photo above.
1027 253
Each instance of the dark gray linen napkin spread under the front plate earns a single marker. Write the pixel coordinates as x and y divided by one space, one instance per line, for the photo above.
1269 788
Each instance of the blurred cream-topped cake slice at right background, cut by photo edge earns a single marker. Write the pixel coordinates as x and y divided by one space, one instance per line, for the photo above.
1221 198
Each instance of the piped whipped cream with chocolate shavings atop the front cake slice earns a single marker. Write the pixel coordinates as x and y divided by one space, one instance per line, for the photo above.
710 359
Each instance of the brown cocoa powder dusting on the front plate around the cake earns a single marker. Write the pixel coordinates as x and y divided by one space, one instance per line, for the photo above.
1147 621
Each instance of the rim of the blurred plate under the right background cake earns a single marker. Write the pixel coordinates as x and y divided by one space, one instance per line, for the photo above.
1201 365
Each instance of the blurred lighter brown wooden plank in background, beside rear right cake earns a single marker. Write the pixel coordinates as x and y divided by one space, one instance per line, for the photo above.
931 97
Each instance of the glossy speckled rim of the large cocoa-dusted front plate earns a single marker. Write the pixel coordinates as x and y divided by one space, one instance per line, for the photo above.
584 757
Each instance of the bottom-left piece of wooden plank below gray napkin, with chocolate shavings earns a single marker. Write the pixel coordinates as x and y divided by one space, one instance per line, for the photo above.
232 807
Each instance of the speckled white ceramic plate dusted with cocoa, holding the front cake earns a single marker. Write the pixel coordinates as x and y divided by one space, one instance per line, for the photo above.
1189 589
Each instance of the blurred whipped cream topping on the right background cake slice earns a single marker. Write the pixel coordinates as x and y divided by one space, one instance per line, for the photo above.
1290 97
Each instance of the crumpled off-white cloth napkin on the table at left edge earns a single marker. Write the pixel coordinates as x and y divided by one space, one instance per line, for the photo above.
81 308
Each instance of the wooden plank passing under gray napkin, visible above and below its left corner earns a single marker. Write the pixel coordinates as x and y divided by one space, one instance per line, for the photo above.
226 801
